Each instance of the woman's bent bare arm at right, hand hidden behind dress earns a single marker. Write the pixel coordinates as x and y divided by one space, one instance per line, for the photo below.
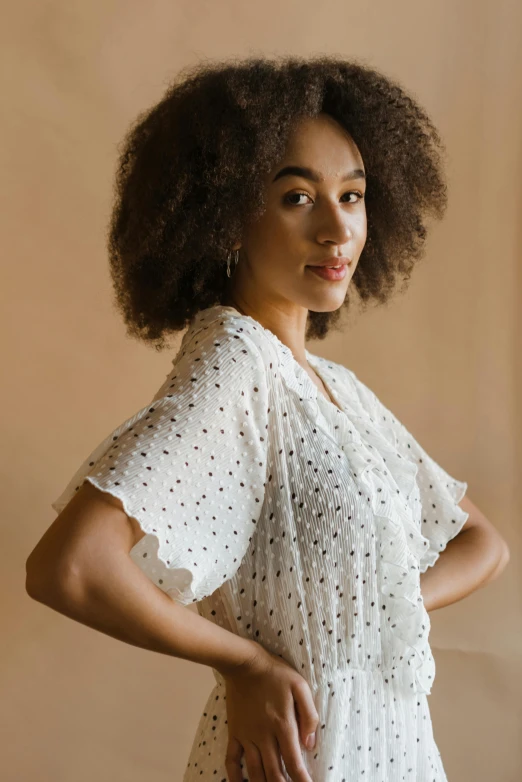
472 559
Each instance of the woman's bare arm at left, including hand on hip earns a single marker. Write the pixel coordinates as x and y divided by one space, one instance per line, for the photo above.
82 569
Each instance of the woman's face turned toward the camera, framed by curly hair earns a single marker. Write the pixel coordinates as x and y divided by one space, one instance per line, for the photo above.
309 215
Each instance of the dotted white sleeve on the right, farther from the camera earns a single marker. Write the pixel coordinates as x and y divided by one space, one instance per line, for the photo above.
438 493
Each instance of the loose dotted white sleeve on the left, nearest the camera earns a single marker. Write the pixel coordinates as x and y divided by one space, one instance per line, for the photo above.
190 466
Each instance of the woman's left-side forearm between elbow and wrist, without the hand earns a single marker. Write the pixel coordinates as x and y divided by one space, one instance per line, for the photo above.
118 599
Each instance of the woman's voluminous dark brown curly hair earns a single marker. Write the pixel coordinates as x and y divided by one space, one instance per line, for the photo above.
190 171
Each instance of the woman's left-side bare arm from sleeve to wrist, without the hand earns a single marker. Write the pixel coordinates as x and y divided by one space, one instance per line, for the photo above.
82 569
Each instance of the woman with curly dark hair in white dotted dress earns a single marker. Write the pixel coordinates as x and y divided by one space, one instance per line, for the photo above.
267 484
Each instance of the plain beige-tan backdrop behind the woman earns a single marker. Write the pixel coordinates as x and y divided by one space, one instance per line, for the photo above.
77 705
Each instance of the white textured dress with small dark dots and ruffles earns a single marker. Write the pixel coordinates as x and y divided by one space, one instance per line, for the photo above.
295 522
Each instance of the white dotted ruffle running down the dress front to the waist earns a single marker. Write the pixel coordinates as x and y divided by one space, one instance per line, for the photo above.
389 480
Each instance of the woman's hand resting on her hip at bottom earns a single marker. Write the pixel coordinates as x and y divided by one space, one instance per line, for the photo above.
269 708
